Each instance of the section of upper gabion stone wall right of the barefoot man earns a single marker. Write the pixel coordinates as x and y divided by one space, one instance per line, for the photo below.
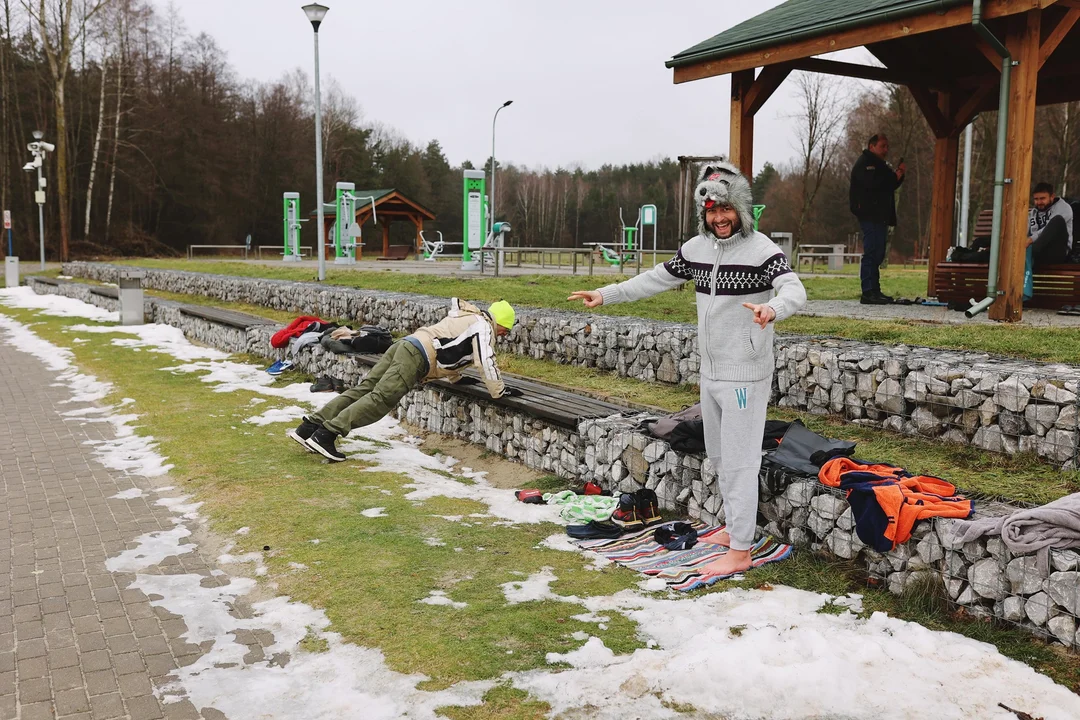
969 399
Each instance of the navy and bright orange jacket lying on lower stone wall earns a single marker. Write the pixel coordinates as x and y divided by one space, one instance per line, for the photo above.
887 501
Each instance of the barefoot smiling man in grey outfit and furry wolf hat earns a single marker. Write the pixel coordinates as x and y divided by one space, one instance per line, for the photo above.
744 284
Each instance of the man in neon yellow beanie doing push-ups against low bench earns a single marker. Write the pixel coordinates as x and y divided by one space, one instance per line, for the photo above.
465 337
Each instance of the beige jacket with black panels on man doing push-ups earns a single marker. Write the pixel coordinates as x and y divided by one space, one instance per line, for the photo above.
465 337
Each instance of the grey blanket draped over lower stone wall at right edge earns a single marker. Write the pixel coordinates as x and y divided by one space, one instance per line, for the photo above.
1056 525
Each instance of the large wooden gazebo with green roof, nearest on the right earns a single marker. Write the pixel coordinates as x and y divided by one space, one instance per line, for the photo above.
933 49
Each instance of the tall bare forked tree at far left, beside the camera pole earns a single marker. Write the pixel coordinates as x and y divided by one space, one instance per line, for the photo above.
61 28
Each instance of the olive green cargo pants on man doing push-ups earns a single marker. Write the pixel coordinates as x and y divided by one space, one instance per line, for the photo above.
394 376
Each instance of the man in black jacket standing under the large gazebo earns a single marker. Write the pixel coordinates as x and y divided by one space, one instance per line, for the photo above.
873 185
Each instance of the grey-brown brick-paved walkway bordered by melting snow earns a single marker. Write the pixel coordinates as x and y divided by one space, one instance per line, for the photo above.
74 642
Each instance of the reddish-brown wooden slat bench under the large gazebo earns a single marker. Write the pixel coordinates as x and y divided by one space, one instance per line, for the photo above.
1055 287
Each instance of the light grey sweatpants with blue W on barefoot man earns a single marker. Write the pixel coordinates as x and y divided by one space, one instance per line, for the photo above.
734 414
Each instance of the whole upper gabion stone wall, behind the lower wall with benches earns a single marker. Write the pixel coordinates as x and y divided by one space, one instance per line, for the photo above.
970 399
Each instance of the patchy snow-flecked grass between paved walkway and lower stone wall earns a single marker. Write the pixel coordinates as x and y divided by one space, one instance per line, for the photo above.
369 574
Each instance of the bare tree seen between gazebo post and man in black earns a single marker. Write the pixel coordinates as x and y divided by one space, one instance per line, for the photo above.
823 108
